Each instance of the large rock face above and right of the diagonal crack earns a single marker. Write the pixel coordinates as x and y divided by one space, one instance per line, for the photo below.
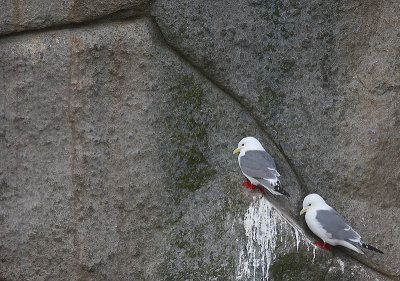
322 78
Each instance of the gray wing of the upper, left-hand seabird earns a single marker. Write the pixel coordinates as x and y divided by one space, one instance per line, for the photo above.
258 164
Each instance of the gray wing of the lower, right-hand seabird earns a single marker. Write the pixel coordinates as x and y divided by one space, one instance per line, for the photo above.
335 225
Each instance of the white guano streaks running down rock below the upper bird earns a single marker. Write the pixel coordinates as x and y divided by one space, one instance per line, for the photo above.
263 224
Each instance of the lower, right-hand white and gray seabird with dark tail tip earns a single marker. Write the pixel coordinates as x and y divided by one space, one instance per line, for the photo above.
330 226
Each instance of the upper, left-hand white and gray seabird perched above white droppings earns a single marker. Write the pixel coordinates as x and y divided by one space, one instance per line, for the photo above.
258 167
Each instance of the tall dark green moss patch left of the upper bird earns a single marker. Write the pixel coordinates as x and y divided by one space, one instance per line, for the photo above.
188 133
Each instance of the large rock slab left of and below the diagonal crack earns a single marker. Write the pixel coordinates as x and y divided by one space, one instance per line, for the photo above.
86 115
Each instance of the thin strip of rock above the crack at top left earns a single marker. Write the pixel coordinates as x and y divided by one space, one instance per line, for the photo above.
20 15
